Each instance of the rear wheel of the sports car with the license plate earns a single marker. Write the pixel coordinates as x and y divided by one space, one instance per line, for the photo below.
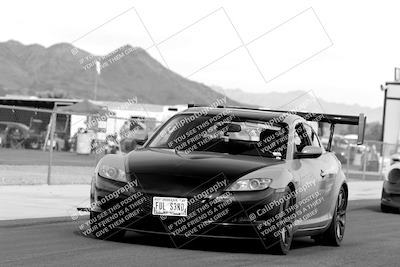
333 236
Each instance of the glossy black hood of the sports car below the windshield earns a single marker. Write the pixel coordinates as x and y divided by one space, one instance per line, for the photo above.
166 172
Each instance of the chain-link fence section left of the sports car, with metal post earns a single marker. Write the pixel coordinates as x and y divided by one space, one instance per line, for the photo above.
28 153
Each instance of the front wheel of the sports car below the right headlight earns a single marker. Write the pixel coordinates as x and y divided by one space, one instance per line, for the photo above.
283 242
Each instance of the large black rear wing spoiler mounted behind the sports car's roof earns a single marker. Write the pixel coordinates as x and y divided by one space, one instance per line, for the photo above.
333 119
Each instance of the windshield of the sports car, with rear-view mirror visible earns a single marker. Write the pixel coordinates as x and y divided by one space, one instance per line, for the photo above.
223 134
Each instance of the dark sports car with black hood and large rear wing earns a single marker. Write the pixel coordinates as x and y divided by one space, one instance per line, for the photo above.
226 172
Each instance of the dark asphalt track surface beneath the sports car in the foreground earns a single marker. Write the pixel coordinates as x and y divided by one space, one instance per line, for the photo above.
372 239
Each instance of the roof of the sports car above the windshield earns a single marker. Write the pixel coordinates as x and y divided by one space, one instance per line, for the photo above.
256 114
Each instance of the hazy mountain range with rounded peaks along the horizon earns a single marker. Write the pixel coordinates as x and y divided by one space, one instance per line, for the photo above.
131 72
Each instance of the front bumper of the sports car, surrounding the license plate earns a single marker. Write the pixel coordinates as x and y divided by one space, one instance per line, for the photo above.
244 217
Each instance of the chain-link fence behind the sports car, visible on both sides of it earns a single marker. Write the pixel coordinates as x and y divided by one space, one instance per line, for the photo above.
26 157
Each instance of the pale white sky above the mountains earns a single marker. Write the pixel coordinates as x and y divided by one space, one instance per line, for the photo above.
341 50
